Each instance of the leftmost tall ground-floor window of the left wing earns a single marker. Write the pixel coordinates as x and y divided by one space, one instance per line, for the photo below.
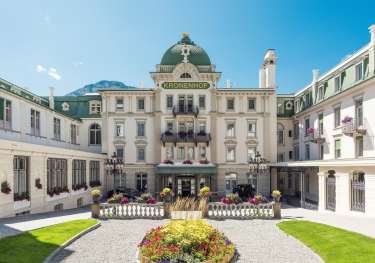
21 178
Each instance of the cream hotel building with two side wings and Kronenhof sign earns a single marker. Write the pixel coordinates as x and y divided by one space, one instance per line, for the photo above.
186 132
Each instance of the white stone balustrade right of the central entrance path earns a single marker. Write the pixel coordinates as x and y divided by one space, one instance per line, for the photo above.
240 211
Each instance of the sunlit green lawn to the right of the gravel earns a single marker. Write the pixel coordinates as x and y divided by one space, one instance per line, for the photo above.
332 244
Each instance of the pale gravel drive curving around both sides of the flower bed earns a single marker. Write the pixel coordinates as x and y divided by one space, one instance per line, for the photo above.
256 241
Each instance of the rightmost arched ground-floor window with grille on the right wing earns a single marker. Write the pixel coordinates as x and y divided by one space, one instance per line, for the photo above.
358 191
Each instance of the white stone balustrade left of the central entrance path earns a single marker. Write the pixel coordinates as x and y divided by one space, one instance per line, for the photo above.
131 211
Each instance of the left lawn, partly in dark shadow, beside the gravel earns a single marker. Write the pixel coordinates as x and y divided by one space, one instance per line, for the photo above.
34 246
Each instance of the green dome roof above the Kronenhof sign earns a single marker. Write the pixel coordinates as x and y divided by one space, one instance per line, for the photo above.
197 55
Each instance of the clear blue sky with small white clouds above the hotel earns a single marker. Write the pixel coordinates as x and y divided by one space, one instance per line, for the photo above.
68 44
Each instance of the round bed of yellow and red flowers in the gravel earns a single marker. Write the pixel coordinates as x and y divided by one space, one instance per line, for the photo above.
186 241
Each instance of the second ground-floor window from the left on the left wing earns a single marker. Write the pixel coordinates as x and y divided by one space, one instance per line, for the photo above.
57 176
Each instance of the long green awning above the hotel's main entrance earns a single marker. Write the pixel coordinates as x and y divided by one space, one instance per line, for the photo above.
186 169
